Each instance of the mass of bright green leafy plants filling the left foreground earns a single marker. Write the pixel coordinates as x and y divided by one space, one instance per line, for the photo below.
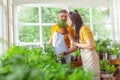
22 63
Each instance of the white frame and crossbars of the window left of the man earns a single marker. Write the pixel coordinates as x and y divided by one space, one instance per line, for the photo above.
40 24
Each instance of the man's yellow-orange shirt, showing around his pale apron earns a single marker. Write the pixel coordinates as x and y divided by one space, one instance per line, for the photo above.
66 39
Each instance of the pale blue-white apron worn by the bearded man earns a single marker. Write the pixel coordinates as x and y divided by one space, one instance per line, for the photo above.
59 45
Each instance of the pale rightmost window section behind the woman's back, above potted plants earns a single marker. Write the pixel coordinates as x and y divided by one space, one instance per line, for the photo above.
101 22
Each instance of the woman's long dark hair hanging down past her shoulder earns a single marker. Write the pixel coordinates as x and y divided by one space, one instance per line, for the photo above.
77 21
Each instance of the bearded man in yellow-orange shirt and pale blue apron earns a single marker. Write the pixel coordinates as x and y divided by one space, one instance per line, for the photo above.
61 42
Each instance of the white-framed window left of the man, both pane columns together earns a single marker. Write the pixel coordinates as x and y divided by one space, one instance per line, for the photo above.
33 24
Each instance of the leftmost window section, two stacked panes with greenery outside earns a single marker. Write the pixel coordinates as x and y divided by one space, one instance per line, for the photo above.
27 25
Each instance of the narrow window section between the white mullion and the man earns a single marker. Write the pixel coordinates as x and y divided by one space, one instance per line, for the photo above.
49 17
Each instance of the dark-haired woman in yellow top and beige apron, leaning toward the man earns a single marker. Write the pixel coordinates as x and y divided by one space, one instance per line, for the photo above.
84 41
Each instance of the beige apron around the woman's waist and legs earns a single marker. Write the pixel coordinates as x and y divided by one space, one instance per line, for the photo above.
90 61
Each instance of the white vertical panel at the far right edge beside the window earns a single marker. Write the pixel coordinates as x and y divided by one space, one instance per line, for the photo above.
116 21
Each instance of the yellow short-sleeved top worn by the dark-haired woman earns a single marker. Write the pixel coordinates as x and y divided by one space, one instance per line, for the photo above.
85 33
